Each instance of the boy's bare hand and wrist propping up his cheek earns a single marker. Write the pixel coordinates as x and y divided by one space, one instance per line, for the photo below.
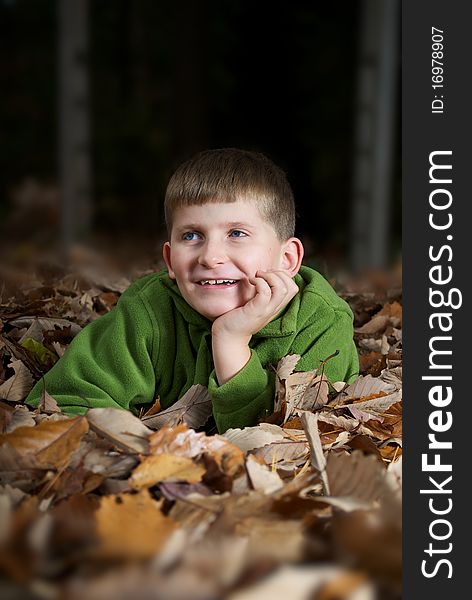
232 331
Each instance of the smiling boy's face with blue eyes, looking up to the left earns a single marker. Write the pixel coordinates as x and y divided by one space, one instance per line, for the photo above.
221 242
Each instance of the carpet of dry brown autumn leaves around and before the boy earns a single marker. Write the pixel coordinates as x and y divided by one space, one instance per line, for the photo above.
107 505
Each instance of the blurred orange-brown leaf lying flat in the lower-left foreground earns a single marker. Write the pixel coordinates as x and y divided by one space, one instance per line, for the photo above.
131 526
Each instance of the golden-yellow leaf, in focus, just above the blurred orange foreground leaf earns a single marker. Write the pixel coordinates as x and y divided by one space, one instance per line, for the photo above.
165 467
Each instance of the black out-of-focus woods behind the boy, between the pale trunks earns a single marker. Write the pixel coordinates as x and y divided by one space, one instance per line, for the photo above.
167 79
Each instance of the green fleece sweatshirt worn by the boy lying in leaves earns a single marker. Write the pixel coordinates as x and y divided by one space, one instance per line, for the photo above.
154 344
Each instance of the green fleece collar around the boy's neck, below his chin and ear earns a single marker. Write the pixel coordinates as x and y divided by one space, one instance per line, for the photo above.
283 325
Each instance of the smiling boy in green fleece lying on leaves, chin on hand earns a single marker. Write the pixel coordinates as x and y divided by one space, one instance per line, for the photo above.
232 302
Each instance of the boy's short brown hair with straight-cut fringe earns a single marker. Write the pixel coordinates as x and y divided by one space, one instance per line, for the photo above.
228 175
